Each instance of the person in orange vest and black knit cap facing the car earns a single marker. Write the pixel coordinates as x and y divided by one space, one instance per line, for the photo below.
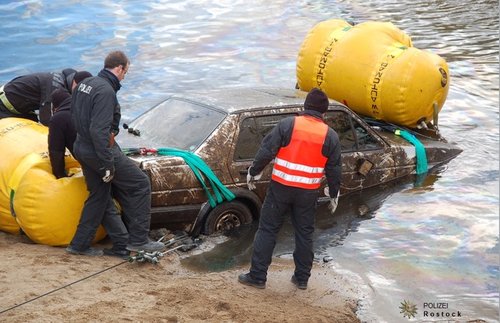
304 150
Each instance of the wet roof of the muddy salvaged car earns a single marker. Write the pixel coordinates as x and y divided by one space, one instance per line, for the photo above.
233 100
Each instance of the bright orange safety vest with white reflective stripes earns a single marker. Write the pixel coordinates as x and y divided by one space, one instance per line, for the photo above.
301 163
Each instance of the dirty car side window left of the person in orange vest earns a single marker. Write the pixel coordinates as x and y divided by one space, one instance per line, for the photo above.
252 131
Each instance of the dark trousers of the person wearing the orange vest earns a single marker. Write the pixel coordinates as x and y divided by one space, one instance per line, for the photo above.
280 201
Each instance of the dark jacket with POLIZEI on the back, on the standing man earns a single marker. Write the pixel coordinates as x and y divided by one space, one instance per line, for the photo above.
95 114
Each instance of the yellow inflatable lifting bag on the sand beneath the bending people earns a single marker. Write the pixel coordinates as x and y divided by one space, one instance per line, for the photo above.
31 198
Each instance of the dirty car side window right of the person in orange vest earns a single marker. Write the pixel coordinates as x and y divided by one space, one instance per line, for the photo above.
352 135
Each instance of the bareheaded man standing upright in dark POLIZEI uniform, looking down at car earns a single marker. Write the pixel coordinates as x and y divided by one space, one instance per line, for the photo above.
96 116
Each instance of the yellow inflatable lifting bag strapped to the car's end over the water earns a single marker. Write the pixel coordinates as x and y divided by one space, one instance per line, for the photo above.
374 69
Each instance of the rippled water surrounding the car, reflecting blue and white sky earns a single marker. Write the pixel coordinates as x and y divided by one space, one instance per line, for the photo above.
433 239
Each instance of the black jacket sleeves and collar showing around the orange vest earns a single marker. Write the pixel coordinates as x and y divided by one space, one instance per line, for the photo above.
281 135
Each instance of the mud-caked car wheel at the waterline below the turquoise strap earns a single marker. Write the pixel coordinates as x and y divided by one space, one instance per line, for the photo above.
227 216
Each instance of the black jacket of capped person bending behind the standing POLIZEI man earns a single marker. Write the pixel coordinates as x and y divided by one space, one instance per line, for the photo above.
62 135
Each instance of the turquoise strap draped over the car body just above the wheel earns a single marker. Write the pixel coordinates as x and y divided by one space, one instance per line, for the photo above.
201 170
